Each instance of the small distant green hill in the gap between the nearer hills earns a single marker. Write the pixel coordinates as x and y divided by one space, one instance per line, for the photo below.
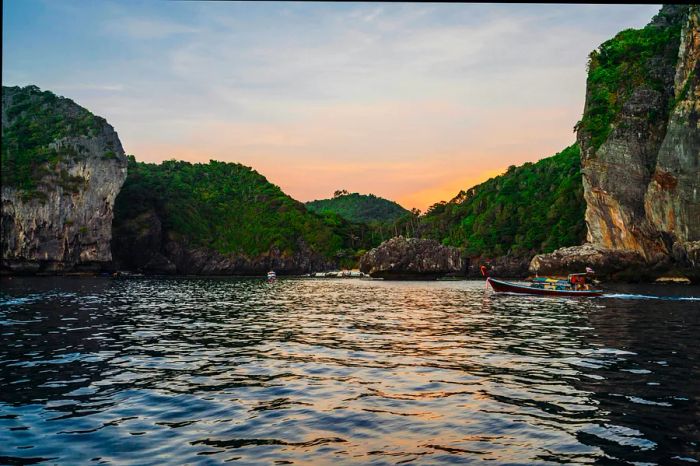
356 207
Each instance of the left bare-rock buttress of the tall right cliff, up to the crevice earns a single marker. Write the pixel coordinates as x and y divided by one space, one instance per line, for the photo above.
616 175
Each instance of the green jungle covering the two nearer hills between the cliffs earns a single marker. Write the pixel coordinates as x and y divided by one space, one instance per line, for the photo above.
233 209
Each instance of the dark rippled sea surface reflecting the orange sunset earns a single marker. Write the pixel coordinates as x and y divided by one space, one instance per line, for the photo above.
304 371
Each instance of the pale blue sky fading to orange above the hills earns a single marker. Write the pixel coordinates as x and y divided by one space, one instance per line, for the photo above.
408 101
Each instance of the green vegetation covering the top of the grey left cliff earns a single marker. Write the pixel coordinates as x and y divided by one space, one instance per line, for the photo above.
33 119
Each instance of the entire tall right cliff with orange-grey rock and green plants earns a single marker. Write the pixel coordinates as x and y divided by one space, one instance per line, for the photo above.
640 148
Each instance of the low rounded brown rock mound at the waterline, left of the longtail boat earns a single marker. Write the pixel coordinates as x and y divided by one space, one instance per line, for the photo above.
411 259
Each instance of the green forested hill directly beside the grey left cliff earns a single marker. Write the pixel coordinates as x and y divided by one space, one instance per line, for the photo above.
232 209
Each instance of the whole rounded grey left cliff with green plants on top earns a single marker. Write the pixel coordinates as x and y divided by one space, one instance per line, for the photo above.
62 169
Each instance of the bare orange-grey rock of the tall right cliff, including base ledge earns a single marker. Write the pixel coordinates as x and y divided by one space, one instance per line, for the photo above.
642 185
